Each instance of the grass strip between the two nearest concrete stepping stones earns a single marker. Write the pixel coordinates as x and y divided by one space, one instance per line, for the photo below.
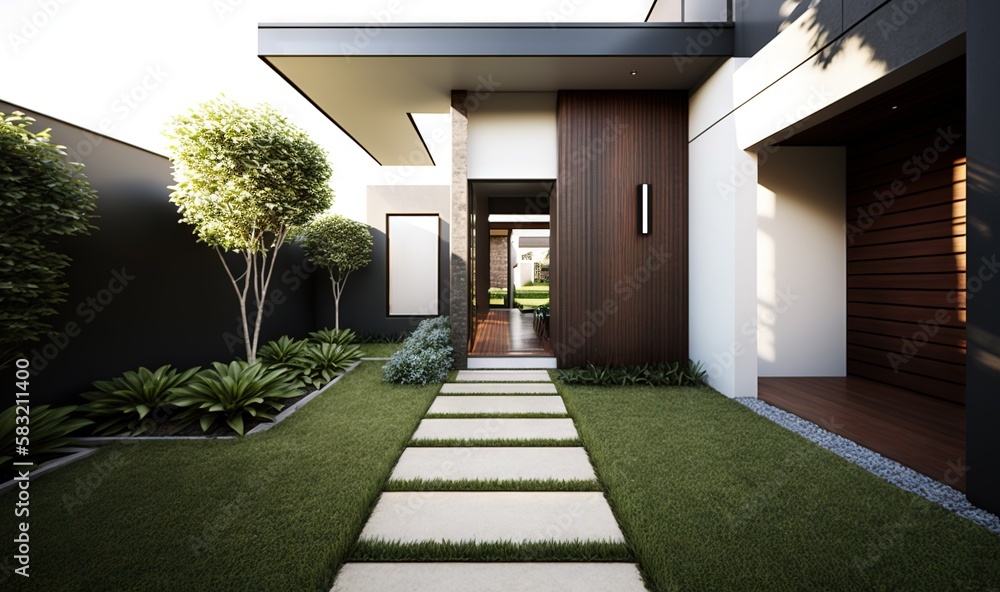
506 551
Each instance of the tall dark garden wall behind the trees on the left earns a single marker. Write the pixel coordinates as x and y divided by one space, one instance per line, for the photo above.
142 292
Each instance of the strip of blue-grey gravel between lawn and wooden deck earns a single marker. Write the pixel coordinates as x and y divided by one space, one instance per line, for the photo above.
873 462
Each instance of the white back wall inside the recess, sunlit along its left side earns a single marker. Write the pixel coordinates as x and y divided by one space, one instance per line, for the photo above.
802 262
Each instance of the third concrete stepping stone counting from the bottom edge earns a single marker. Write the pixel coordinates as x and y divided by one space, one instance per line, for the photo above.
485 463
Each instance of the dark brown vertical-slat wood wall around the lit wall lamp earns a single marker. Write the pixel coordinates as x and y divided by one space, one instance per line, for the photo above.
619 297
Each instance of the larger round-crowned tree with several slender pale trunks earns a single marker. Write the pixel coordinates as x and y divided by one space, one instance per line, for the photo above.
245 177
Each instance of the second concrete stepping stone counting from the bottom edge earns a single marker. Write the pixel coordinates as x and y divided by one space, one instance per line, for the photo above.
483 516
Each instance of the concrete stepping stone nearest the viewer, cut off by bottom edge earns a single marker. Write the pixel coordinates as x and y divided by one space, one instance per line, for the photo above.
489 577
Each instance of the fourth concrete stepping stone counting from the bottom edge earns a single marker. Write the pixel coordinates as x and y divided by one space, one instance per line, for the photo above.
495 429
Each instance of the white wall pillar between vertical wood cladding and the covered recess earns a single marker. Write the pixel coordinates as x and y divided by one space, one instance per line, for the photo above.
723 185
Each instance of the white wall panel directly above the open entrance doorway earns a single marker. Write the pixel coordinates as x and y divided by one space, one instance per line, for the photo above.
513 136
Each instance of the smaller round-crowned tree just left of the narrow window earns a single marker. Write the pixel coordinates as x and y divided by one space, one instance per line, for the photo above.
339 244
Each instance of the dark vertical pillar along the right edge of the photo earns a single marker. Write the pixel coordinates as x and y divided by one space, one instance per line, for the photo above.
982 372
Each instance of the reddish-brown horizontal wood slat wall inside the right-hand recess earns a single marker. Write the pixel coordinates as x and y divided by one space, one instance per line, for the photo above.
906 256
